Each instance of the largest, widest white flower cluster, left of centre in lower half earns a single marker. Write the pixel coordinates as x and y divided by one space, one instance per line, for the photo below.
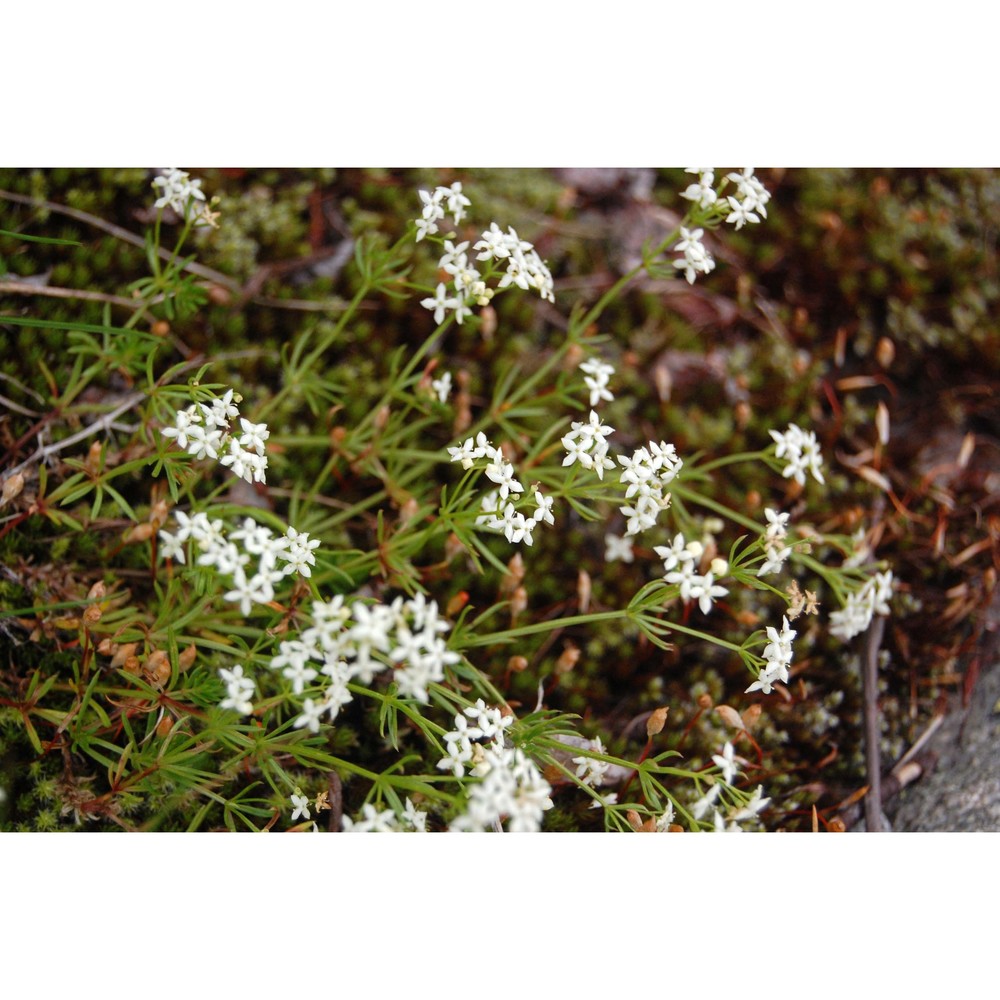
356 642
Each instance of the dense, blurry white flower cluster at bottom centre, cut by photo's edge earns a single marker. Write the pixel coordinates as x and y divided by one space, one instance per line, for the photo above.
510 788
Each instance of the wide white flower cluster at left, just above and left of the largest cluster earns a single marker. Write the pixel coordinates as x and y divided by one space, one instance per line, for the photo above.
251 585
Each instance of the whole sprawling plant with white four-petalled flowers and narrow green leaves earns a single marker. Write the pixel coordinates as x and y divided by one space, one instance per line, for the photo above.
255 656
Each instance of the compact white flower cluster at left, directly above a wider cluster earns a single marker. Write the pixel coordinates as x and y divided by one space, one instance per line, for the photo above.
204 431
